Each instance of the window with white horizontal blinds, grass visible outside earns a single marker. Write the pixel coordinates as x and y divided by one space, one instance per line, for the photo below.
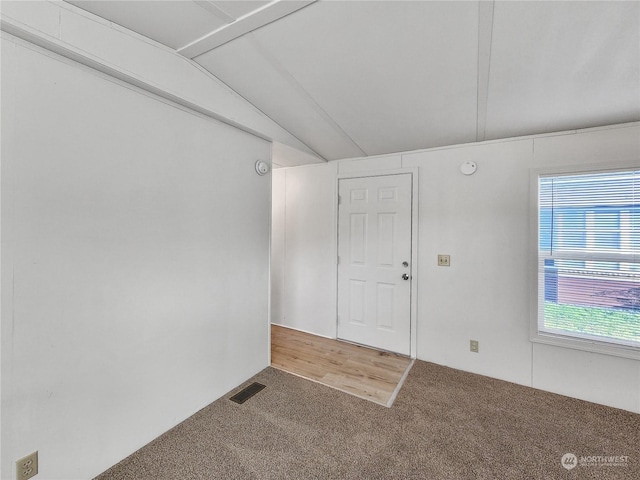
588 240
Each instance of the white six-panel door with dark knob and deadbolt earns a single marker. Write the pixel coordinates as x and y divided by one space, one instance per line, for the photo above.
374 262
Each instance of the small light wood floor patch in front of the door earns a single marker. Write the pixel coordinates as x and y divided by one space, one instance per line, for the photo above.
360 371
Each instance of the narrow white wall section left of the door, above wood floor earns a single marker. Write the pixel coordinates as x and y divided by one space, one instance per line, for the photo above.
303 278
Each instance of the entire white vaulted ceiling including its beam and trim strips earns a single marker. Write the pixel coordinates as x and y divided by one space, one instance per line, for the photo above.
359 78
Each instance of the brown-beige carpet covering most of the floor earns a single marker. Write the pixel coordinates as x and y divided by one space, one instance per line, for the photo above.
444 424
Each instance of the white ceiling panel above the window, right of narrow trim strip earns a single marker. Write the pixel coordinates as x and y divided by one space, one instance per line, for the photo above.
563 65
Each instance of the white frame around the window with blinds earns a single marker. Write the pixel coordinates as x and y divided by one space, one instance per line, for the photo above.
556 339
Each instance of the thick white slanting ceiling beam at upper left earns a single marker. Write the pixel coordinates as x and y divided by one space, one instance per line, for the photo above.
243 25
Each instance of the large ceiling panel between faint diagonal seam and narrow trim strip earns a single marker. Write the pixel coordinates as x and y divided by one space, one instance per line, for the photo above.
393 75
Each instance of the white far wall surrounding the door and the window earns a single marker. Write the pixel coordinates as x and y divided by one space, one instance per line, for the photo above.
482 221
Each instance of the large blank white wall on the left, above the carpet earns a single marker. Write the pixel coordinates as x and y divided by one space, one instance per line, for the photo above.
135 248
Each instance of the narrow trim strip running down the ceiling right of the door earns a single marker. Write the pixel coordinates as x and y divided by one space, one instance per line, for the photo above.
485 37
